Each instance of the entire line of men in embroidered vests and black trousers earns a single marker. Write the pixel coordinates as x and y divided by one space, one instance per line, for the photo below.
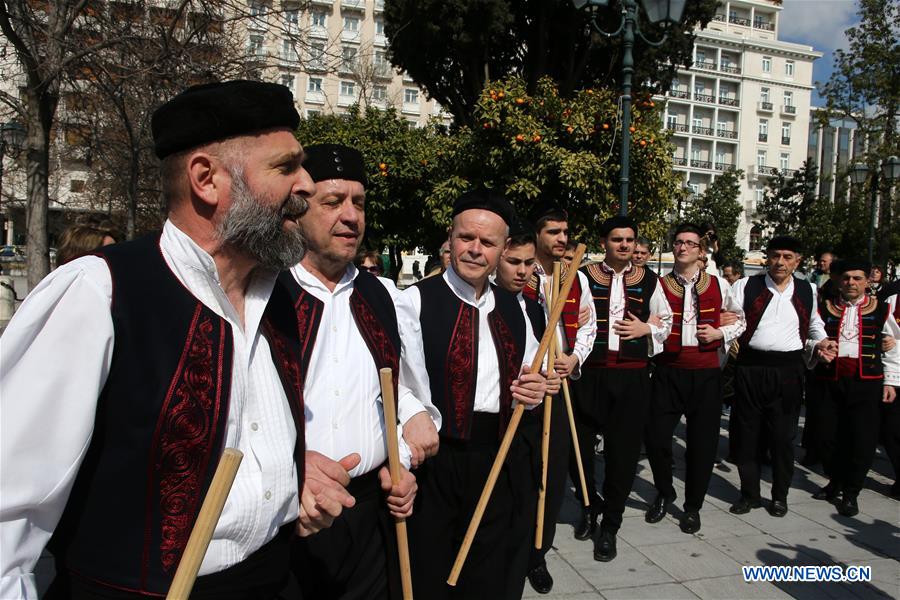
252 322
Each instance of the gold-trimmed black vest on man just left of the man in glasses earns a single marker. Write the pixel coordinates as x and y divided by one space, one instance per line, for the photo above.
639 283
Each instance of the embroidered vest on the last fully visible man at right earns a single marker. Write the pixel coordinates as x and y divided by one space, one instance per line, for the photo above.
872 315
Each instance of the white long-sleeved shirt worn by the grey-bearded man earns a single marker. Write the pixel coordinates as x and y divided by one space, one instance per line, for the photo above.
56 357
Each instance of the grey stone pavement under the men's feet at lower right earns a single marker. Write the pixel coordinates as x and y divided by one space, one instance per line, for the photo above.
659 561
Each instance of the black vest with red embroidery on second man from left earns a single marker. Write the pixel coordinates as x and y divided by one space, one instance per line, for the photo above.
374 314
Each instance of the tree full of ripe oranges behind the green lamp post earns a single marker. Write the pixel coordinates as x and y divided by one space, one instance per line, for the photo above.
543 147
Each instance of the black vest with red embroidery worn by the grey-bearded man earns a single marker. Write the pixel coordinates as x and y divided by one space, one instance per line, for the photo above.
160 423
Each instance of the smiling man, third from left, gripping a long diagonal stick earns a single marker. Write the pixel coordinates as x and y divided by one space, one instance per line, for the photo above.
476 344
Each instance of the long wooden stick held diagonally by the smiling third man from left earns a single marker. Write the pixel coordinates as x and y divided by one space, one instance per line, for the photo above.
514 420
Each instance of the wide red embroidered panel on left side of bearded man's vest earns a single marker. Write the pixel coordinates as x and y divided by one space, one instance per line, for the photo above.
184 435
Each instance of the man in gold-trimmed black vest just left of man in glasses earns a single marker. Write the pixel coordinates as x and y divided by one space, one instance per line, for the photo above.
614 390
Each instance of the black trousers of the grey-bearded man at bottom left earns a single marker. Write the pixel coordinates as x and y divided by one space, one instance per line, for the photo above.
262 575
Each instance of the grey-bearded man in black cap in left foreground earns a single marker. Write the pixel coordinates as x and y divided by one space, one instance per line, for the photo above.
115 407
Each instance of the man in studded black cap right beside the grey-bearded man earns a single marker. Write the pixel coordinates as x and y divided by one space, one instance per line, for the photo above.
349 333
